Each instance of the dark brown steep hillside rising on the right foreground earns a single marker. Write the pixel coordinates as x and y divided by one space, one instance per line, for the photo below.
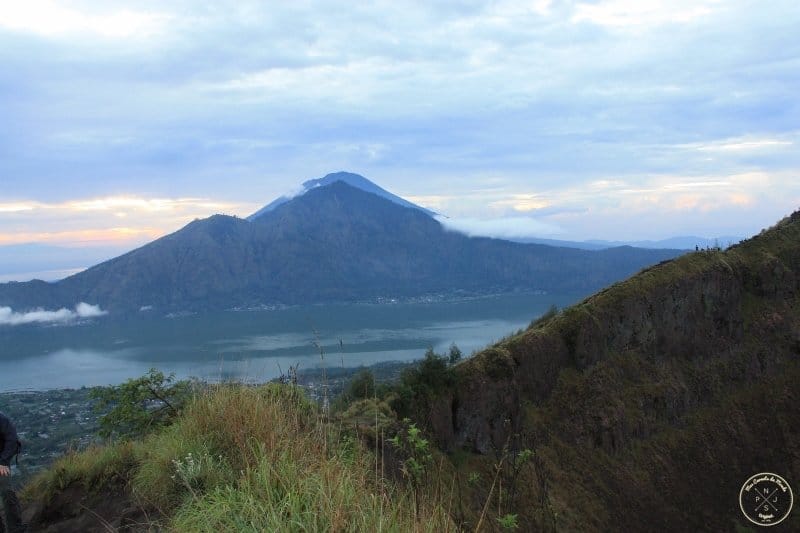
650 403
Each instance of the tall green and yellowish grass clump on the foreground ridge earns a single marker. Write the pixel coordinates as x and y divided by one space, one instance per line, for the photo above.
250 459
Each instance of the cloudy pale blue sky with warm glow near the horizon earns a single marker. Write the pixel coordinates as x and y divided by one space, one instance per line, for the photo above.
618 119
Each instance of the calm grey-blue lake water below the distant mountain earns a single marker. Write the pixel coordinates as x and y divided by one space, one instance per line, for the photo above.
255 345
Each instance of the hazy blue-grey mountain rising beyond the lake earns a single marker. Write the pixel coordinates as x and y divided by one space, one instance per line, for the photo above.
335 242
